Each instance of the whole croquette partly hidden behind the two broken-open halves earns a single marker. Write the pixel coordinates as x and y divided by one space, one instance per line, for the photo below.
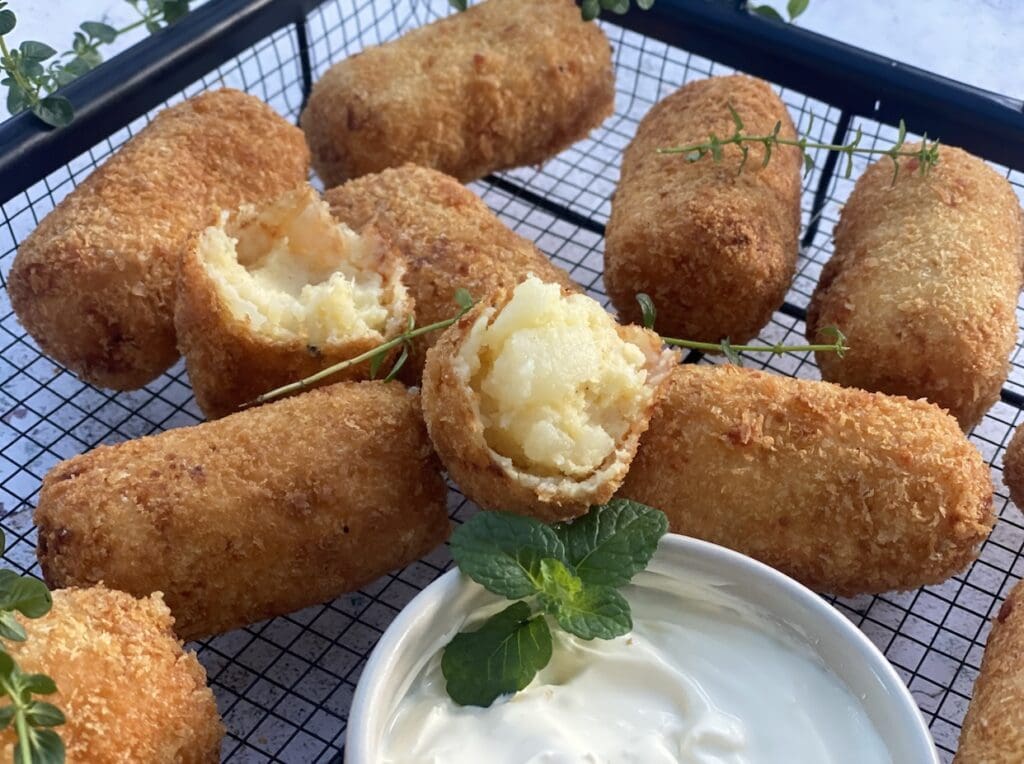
450 239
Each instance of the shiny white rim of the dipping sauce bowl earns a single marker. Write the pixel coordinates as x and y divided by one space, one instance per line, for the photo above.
366 705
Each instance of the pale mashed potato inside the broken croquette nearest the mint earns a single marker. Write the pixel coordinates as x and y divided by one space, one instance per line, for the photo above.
558 388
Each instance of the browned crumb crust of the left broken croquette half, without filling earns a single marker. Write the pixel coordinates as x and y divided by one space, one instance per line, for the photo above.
231 365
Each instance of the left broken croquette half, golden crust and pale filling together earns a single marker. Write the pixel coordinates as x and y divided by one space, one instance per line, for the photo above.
277 293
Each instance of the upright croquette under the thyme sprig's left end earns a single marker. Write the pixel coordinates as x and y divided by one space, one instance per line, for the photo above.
713 245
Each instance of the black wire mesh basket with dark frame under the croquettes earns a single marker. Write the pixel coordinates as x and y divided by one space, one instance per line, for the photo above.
284 687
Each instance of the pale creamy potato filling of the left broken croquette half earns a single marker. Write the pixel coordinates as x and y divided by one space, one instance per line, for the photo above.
292 271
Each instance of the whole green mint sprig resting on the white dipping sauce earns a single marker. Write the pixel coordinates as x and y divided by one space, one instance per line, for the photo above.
569 573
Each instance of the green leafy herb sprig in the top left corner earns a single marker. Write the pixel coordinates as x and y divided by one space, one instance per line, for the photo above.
31 86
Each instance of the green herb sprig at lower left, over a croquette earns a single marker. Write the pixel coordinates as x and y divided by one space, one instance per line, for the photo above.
32 719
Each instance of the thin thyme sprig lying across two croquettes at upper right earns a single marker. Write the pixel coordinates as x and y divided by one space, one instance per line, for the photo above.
927 155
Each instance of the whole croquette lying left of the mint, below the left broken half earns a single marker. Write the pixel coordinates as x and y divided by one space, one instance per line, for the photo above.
254 516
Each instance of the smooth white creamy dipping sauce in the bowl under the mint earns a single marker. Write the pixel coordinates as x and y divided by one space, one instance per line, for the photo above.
702 680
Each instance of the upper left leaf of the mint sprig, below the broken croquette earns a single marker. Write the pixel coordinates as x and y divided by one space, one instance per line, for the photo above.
502 553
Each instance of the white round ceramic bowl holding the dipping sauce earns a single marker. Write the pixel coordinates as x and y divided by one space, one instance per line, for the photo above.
441 609
